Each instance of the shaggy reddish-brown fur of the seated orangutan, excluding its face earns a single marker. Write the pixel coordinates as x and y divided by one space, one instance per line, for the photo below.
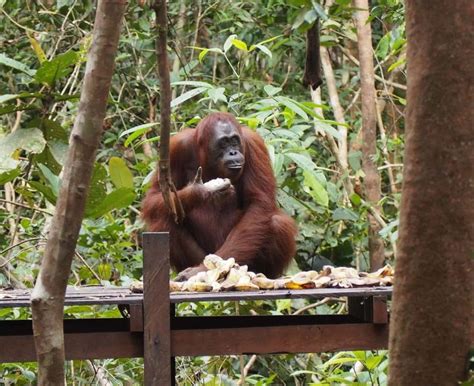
244 222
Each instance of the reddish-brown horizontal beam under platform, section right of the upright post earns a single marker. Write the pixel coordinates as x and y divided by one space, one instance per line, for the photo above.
279 339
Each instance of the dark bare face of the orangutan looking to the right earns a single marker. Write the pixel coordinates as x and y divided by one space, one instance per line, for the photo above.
226 151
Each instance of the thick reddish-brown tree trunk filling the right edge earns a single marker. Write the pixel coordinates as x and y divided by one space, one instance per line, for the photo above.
432 322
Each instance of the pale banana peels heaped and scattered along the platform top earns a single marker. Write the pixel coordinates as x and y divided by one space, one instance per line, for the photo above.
227 275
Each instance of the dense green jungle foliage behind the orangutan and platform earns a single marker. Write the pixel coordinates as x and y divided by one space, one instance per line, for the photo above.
243 57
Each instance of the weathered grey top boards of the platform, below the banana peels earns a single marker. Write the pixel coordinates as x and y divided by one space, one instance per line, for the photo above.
120 295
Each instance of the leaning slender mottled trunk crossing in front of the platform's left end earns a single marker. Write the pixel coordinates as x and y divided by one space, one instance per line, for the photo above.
48 295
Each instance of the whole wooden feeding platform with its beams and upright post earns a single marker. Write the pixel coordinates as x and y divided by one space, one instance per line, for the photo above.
149 327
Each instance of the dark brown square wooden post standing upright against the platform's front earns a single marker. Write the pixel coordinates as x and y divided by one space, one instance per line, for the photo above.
156 305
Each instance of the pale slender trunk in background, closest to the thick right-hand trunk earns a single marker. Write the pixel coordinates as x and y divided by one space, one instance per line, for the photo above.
369 132
